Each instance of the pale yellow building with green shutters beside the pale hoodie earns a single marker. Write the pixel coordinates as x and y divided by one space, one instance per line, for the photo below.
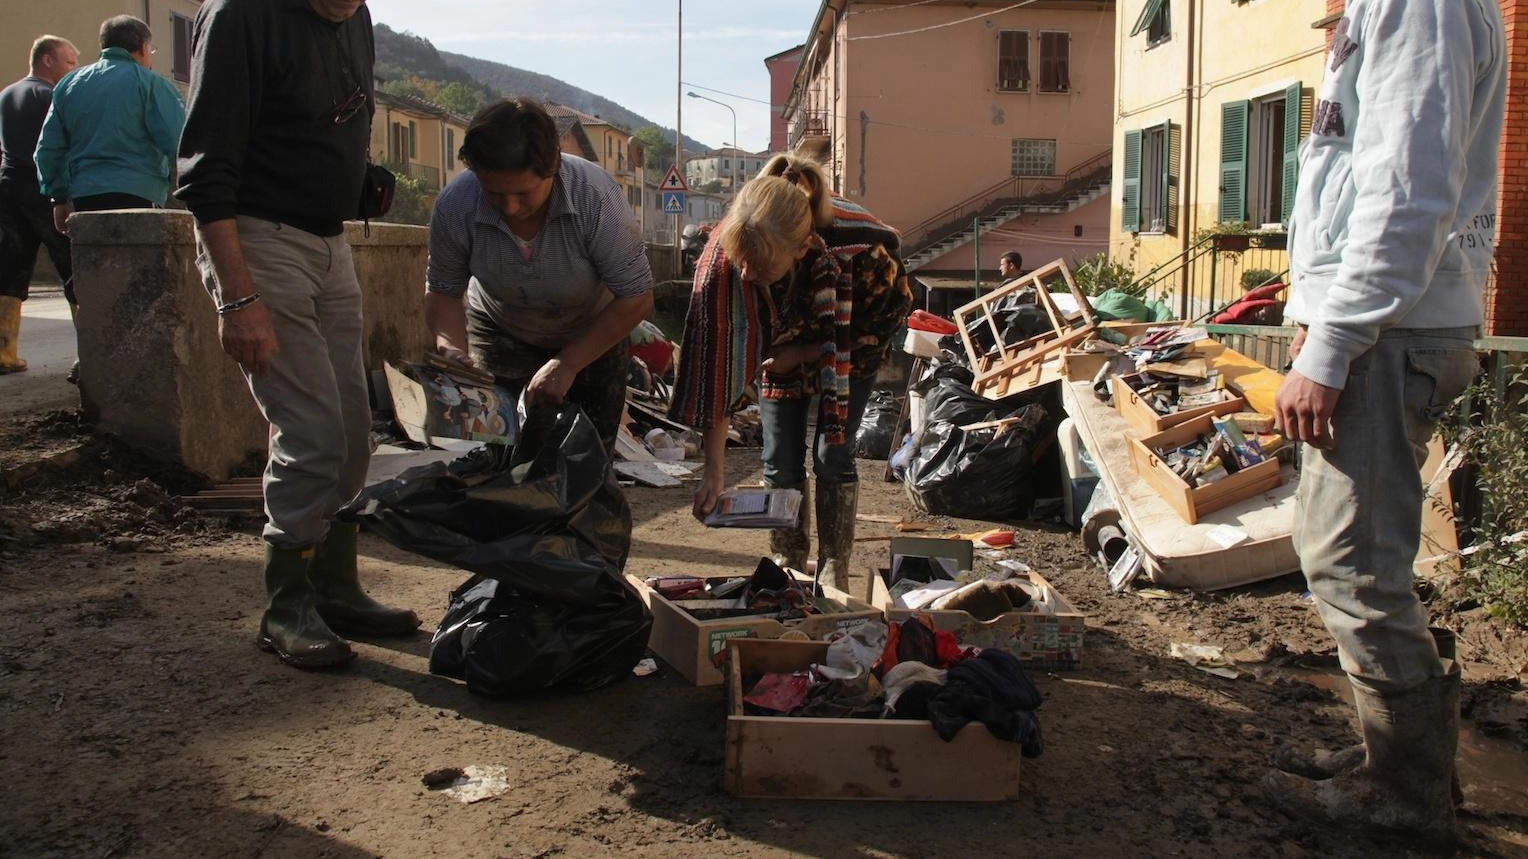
1212 103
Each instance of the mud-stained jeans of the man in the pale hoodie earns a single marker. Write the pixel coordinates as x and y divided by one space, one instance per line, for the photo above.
1359 507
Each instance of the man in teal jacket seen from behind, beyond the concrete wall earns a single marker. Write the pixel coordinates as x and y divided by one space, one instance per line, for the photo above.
111 137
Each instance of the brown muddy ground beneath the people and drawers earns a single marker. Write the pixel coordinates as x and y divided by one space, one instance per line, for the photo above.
140 721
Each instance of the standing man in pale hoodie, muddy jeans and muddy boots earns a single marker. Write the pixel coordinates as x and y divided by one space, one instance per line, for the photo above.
1391 245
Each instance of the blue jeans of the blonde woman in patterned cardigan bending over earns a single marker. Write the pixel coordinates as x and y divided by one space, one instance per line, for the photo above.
785 424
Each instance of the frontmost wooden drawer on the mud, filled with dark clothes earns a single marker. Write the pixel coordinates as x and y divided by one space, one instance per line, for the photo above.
853 759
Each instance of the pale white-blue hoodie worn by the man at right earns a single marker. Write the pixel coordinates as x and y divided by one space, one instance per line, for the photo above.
1394 219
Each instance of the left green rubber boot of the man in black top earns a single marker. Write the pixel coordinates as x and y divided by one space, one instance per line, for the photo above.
291 627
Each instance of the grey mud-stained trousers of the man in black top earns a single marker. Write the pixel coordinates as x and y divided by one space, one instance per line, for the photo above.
316 394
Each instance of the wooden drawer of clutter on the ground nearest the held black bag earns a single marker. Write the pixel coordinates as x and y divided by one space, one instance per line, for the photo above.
693 646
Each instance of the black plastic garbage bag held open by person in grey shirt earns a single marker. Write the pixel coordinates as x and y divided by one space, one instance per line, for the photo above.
548 539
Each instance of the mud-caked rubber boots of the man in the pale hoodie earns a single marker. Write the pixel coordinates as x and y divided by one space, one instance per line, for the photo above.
1403 785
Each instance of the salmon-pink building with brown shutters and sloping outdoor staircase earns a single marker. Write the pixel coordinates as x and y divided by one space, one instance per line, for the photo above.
939 115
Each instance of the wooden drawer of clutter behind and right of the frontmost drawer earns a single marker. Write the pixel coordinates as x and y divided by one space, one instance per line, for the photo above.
1046 637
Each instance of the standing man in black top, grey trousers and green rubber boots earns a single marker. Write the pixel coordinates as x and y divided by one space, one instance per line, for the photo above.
271 164
